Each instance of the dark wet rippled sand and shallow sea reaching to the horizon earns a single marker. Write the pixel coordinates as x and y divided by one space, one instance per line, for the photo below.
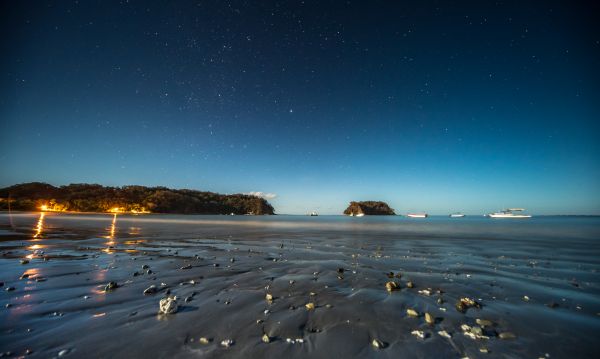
536 279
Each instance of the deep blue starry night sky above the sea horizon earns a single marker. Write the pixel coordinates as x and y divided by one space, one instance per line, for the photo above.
430 106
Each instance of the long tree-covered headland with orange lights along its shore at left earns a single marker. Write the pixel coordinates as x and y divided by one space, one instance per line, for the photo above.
127 199
